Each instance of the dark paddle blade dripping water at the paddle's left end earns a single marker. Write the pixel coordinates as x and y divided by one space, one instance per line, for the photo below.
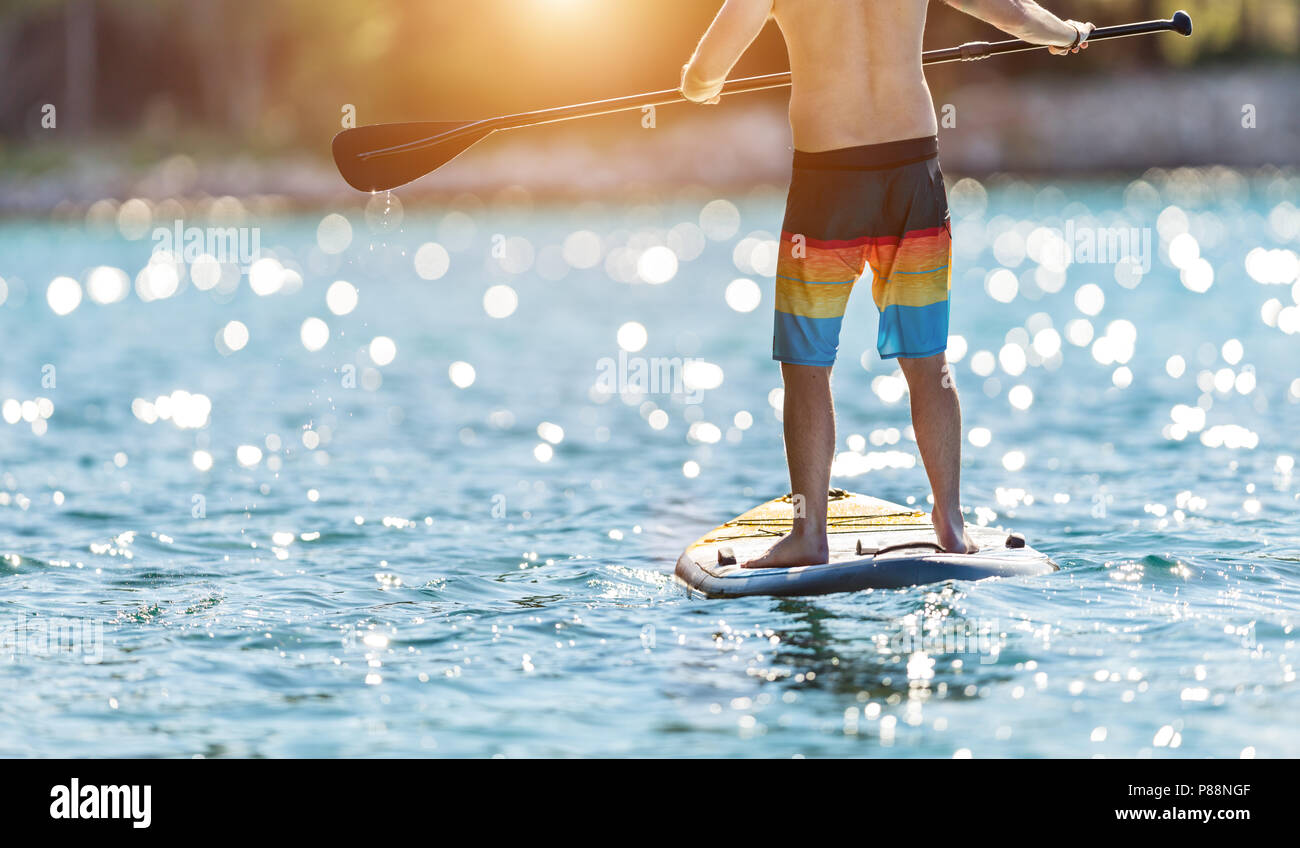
384 157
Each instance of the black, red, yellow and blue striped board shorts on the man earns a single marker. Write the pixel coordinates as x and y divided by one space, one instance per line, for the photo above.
878 206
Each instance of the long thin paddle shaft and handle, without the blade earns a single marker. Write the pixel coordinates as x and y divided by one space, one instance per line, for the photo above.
972 51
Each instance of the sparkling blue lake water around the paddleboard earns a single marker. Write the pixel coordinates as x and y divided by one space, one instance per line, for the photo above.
415 527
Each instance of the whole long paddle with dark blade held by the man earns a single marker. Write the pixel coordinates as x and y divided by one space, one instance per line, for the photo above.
384 157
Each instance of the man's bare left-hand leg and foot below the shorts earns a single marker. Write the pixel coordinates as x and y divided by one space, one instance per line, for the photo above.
809 419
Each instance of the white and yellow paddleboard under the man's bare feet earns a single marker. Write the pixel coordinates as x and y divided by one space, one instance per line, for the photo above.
874 546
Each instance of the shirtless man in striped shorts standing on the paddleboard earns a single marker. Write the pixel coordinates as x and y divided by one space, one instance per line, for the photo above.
866 191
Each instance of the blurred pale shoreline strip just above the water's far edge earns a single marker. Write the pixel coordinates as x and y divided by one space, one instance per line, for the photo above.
1035 127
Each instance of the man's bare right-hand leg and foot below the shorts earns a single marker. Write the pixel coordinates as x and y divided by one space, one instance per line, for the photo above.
937 416
